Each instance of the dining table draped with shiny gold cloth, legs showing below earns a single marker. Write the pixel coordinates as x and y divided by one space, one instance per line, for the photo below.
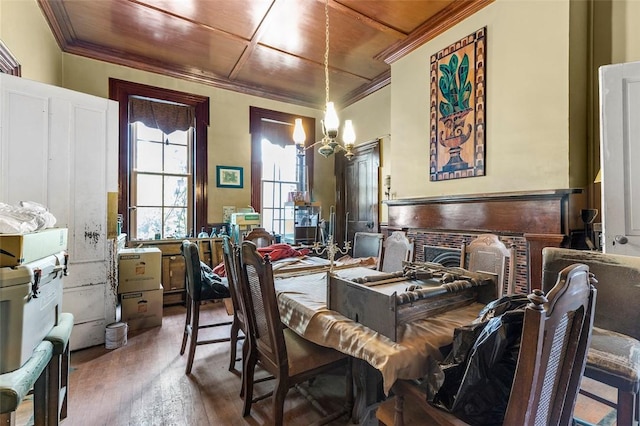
302 295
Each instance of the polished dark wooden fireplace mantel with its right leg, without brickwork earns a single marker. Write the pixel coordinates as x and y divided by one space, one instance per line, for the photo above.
543 218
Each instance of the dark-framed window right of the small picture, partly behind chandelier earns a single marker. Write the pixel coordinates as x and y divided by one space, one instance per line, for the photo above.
275 168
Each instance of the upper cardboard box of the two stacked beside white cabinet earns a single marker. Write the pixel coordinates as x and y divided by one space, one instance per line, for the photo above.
139 269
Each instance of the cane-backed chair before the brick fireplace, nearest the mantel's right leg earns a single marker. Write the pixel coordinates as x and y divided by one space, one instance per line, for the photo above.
488 254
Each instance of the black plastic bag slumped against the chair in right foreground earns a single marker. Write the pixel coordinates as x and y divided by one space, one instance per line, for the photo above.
479 370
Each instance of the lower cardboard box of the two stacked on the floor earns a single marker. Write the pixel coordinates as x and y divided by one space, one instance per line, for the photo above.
142 309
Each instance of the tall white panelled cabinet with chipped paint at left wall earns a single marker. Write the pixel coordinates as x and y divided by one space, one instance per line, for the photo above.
59 148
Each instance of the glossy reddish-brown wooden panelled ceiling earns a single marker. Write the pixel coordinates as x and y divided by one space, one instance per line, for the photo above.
268 48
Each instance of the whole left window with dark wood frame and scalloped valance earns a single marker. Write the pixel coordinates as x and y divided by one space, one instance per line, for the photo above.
162 173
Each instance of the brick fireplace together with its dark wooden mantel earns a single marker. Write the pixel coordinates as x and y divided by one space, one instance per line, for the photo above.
530 220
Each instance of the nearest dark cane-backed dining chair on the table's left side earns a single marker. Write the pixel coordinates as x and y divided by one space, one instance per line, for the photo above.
279 350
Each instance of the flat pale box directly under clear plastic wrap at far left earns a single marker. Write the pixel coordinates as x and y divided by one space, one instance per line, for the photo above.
16 249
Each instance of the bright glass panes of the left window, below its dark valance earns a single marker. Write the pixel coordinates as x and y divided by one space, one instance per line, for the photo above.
161 183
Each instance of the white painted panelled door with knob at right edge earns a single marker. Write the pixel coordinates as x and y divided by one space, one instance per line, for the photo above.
620 149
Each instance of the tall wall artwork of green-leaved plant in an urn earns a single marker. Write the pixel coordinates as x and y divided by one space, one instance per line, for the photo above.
457 109
